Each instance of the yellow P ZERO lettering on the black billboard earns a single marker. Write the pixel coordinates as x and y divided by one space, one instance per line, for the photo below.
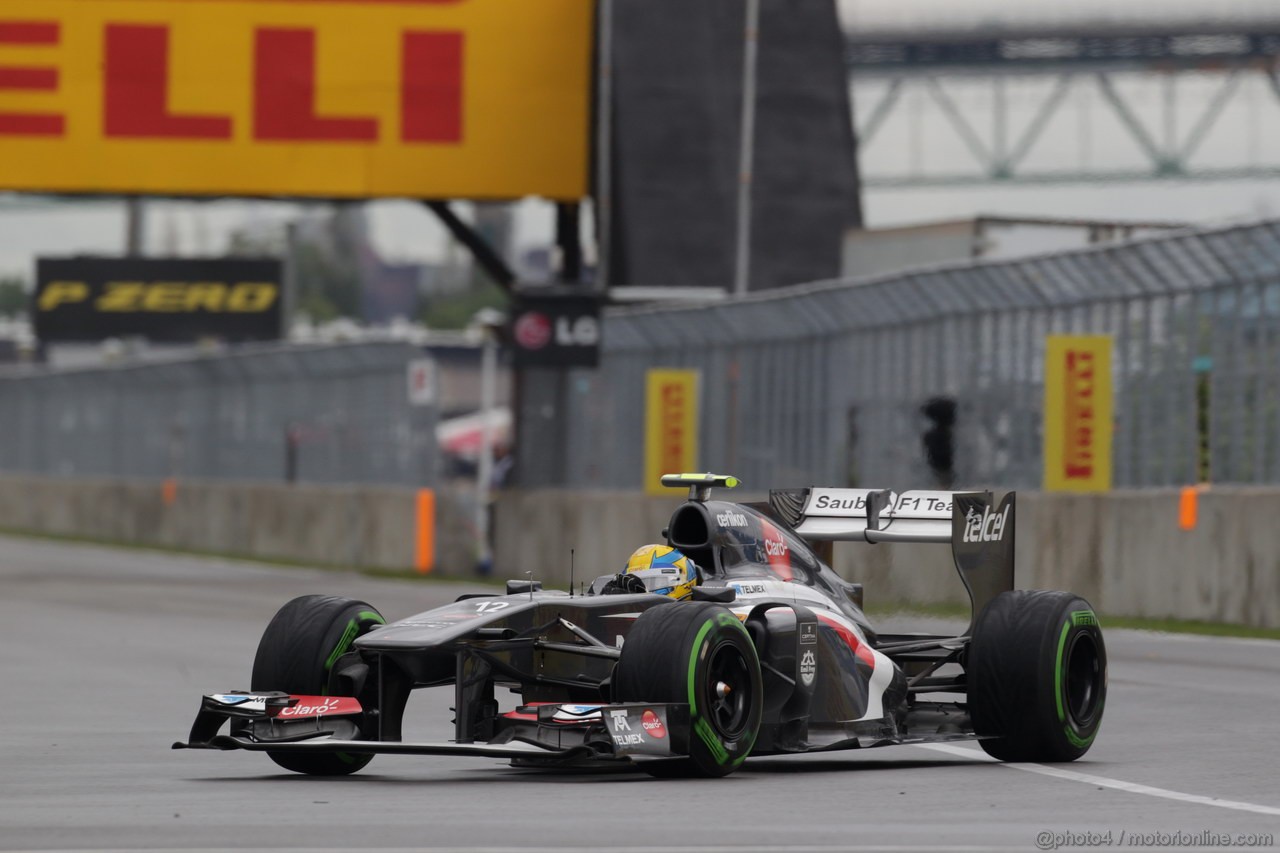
164 298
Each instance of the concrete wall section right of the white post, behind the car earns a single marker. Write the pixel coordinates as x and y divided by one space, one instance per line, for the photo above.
1123 551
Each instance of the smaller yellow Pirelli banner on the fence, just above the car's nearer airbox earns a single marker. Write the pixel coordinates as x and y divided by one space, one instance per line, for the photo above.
671 426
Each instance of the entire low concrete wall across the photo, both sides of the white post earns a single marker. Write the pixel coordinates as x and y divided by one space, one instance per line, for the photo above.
1123 551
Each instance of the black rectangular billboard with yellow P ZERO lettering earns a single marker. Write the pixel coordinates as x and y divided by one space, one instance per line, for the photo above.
93 299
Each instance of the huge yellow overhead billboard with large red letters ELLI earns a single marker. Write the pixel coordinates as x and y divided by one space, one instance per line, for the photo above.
483 99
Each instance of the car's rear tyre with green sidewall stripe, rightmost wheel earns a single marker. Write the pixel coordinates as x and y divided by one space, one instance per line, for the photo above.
1037 677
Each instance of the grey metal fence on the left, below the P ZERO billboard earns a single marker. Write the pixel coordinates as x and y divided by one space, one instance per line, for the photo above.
322 414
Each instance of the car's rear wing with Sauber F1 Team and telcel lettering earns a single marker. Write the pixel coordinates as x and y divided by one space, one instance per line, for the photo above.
980 532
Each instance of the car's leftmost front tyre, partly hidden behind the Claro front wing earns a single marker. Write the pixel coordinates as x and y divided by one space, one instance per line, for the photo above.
296 655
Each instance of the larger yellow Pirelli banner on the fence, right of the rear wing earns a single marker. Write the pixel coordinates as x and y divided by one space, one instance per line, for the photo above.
1078 418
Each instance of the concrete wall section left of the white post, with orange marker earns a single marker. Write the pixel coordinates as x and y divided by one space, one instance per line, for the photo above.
333 526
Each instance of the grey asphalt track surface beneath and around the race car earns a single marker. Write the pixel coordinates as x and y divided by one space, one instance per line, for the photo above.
106 654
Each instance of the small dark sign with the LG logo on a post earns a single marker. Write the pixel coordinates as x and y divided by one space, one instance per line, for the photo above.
556 332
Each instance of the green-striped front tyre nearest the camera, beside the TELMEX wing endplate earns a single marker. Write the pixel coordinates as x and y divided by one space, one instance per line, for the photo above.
671 656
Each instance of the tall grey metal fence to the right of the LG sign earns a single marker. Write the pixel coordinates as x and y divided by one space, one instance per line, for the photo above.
839 382
